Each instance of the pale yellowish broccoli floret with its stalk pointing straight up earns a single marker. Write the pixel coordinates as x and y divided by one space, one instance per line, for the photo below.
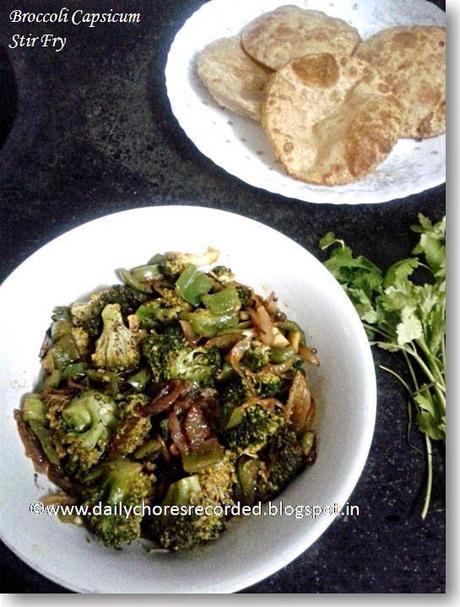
117 347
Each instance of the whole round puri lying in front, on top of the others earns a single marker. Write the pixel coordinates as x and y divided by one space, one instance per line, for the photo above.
331 119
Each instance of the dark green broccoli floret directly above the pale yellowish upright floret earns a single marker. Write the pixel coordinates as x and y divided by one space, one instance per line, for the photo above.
87 314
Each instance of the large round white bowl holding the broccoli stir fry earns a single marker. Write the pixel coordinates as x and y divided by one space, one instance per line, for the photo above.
344 386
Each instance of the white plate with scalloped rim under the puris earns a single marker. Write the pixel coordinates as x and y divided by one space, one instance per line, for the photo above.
239 145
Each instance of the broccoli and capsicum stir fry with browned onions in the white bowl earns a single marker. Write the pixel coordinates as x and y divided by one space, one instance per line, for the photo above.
175 387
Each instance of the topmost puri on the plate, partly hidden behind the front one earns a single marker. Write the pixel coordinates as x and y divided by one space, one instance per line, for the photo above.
289 32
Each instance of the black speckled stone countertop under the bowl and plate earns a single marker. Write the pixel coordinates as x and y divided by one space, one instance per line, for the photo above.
94 134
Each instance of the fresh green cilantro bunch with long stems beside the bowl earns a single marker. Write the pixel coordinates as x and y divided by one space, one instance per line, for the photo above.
404 310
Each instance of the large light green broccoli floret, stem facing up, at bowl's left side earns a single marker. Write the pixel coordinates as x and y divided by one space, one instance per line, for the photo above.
81 429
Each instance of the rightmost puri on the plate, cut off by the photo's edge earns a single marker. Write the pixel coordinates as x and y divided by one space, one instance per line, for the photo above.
412 60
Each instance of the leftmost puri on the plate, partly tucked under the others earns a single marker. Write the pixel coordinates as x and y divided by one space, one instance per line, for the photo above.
234 80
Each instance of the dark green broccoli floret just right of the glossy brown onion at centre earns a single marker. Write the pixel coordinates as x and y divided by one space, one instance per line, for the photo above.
258 424
